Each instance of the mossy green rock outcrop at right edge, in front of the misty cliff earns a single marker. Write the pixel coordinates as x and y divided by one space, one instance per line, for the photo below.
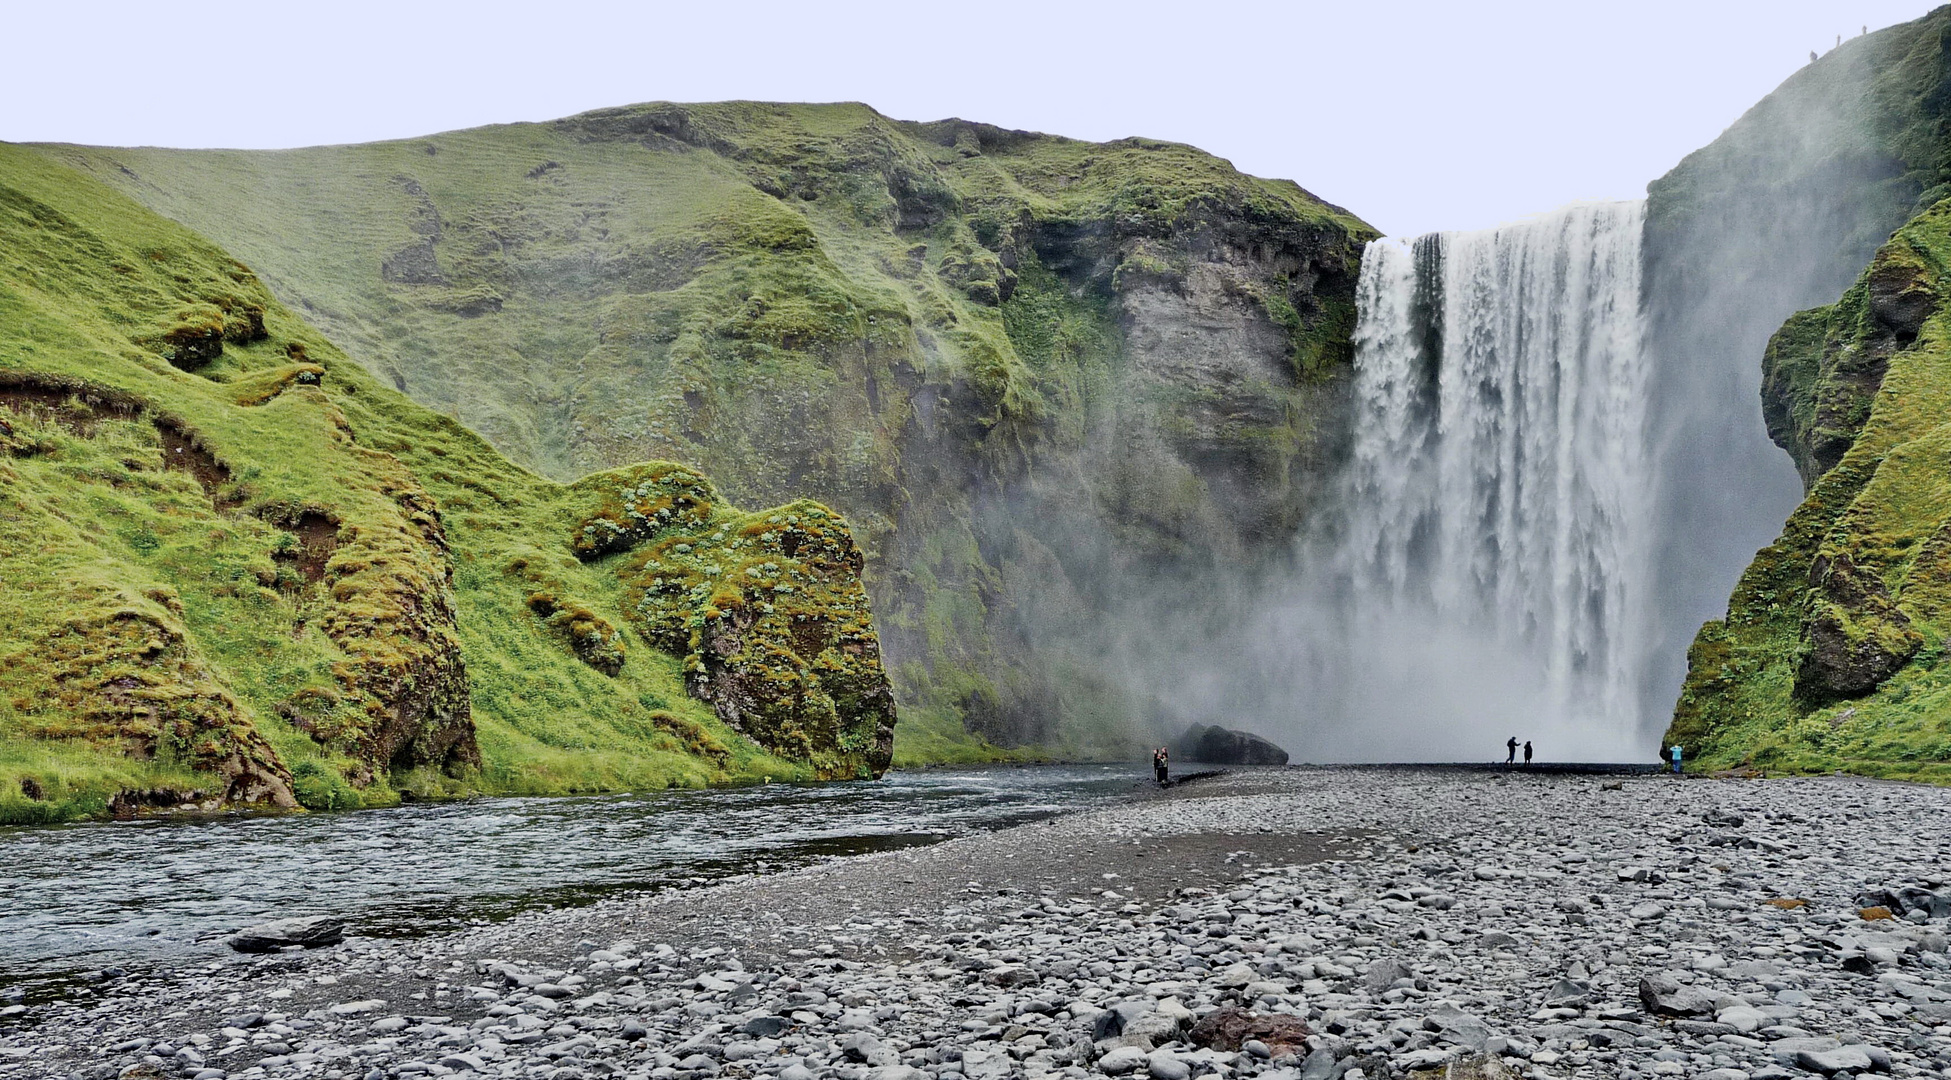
1833 648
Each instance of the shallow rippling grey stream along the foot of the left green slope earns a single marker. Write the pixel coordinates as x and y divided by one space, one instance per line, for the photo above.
97 896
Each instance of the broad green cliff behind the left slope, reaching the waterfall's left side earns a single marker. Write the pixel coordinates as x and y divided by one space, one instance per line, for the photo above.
1031 371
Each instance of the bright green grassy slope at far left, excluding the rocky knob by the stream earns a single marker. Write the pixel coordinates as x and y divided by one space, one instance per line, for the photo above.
272 570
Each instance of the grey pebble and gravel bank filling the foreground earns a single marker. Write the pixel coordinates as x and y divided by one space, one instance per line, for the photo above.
1294 925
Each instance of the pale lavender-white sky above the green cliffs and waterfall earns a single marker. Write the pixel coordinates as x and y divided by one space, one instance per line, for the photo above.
1415 116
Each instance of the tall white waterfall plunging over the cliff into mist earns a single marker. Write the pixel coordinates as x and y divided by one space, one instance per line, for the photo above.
1488 572
